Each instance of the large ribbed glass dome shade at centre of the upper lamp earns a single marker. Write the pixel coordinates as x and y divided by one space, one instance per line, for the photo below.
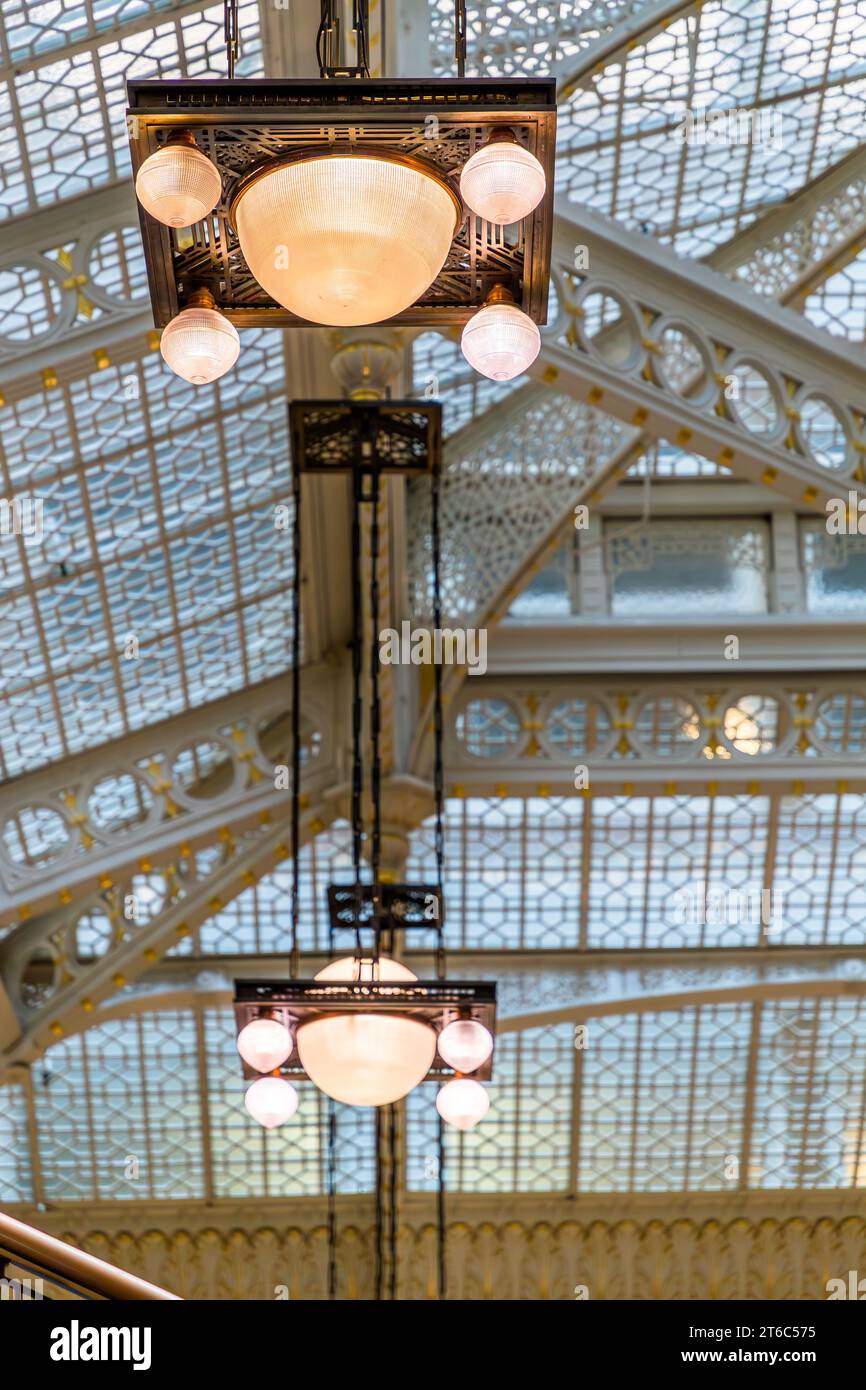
345 240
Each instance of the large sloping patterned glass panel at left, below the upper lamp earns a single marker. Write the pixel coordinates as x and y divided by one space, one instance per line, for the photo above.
161 580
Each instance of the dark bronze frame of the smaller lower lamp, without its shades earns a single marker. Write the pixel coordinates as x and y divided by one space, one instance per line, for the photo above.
432 1001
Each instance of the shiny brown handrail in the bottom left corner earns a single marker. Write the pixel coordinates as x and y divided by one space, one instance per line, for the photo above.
58 1263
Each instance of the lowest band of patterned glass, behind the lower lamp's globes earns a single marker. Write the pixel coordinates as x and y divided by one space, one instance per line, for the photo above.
669 1102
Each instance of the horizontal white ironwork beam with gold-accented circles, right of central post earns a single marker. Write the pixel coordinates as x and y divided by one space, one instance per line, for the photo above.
726 730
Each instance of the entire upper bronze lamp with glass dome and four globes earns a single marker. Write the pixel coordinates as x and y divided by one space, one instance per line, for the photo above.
345 202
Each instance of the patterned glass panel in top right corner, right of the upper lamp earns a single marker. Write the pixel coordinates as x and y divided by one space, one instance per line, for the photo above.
714 120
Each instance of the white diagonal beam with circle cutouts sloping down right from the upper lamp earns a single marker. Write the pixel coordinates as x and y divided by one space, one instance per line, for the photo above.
758 369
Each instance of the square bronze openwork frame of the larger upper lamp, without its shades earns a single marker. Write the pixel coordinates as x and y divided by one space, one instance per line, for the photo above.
440 120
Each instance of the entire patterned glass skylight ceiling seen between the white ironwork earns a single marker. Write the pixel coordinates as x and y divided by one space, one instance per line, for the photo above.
159 525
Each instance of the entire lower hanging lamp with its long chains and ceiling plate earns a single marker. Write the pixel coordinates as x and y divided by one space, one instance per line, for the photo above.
365 1029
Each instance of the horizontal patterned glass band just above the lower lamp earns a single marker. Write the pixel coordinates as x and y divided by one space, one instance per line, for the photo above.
611 874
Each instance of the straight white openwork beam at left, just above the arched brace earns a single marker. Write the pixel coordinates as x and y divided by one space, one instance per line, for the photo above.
74 828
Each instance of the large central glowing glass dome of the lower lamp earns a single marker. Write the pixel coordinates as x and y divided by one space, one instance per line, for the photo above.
366 1058
